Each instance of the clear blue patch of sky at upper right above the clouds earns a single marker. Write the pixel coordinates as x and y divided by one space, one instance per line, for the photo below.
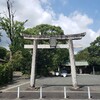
88 7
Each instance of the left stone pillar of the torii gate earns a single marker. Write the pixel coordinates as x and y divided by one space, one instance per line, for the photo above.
32 78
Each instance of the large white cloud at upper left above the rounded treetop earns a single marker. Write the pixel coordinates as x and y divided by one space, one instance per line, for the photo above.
33 11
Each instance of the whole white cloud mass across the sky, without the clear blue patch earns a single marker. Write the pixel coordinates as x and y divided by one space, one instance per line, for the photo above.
36 13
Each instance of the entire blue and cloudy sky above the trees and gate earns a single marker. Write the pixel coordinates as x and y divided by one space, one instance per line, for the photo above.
73 16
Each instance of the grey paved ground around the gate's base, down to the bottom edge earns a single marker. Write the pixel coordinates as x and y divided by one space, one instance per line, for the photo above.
53 87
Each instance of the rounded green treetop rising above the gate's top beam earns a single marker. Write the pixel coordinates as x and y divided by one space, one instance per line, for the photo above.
45 29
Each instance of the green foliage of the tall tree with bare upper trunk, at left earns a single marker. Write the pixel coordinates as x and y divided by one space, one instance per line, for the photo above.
15 37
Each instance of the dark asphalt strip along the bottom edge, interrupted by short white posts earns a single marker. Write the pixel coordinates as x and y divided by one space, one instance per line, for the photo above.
48 95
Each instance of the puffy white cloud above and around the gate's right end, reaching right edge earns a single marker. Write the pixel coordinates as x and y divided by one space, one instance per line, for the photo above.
77 23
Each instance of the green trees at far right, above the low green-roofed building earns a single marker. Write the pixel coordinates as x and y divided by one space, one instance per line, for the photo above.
91 54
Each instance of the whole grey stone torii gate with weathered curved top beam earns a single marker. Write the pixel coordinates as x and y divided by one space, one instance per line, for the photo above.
53 44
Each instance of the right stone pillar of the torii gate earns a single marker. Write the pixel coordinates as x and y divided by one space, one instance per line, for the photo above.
72 62
